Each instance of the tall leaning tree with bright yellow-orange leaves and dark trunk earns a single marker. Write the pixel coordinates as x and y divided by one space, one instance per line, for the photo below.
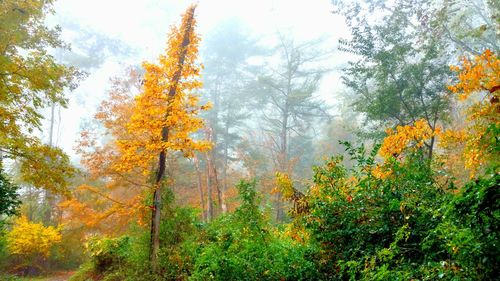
165 114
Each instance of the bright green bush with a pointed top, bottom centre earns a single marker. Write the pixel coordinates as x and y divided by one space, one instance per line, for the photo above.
243 246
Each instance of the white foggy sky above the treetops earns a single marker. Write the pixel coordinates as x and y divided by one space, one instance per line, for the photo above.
143 26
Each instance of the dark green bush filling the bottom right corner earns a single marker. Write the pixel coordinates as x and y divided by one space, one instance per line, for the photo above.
469 232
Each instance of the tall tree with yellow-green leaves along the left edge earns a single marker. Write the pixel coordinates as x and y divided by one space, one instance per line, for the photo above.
30 79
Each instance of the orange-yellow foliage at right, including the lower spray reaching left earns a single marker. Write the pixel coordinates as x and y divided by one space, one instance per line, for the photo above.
479 84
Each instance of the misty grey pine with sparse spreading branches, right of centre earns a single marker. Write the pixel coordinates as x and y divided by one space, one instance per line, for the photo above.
291 106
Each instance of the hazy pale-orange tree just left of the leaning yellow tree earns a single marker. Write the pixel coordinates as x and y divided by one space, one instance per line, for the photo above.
108 199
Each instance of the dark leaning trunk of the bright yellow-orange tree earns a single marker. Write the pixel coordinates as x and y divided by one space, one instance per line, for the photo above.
156 211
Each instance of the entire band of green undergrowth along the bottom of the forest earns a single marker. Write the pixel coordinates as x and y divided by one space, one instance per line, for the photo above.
359 227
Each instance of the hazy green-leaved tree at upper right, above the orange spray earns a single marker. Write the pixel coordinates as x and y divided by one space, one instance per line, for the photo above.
401 70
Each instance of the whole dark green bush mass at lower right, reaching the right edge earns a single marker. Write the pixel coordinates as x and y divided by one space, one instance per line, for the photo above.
404 227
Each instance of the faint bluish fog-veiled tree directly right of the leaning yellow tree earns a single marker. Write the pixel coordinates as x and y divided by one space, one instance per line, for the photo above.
226 79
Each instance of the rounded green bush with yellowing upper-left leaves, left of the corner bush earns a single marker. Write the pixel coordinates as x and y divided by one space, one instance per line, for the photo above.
354 215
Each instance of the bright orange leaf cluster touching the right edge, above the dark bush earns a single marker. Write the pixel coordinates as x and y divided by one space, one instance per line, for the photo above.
478 82
